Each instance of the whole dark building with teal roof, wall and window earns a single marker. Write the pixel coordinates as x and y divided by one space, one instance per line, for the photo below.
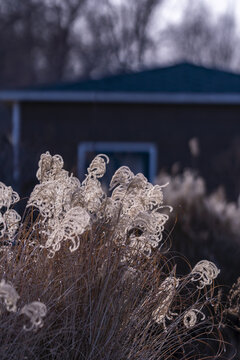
144 120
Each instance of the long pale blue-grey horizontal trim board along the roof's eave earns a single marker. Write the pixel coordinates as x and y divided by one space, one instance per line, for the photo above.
119 97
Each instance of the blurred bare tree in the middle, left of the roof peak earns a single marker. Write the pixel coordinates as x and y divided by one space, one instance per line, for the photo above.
118 36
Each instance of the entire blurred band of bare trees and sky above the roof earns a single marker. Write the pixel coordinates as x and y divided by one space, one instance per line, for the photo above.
55 40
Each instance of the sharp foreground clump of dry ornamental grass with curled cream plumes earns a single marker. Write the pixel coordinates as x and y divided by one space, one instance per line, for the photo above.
89 276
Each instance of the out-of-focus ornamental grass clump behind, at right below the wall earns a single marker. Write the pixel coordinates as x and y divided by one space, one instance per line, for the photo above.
205 225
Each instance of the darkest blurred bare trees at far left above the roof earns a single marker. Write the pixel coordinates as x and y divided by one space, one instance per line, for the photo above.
35 40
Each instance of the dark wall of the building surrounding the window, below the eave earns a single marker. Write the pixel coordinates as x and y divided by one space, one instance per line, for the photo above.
60 127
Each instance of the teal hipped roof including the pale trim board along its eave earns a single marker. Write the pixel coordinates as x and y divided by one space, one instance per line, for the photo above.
177 84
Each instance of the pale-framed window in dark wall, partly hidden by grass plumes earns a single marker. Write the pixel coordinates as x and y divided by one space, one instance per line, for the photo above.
139 157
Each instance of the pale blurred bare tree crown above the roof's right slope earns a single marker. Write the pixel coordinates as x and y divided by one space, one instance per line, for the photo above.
201 39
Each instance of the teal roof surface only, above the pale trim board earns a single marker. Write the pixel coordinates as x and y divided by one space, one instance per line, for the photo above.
180 78
